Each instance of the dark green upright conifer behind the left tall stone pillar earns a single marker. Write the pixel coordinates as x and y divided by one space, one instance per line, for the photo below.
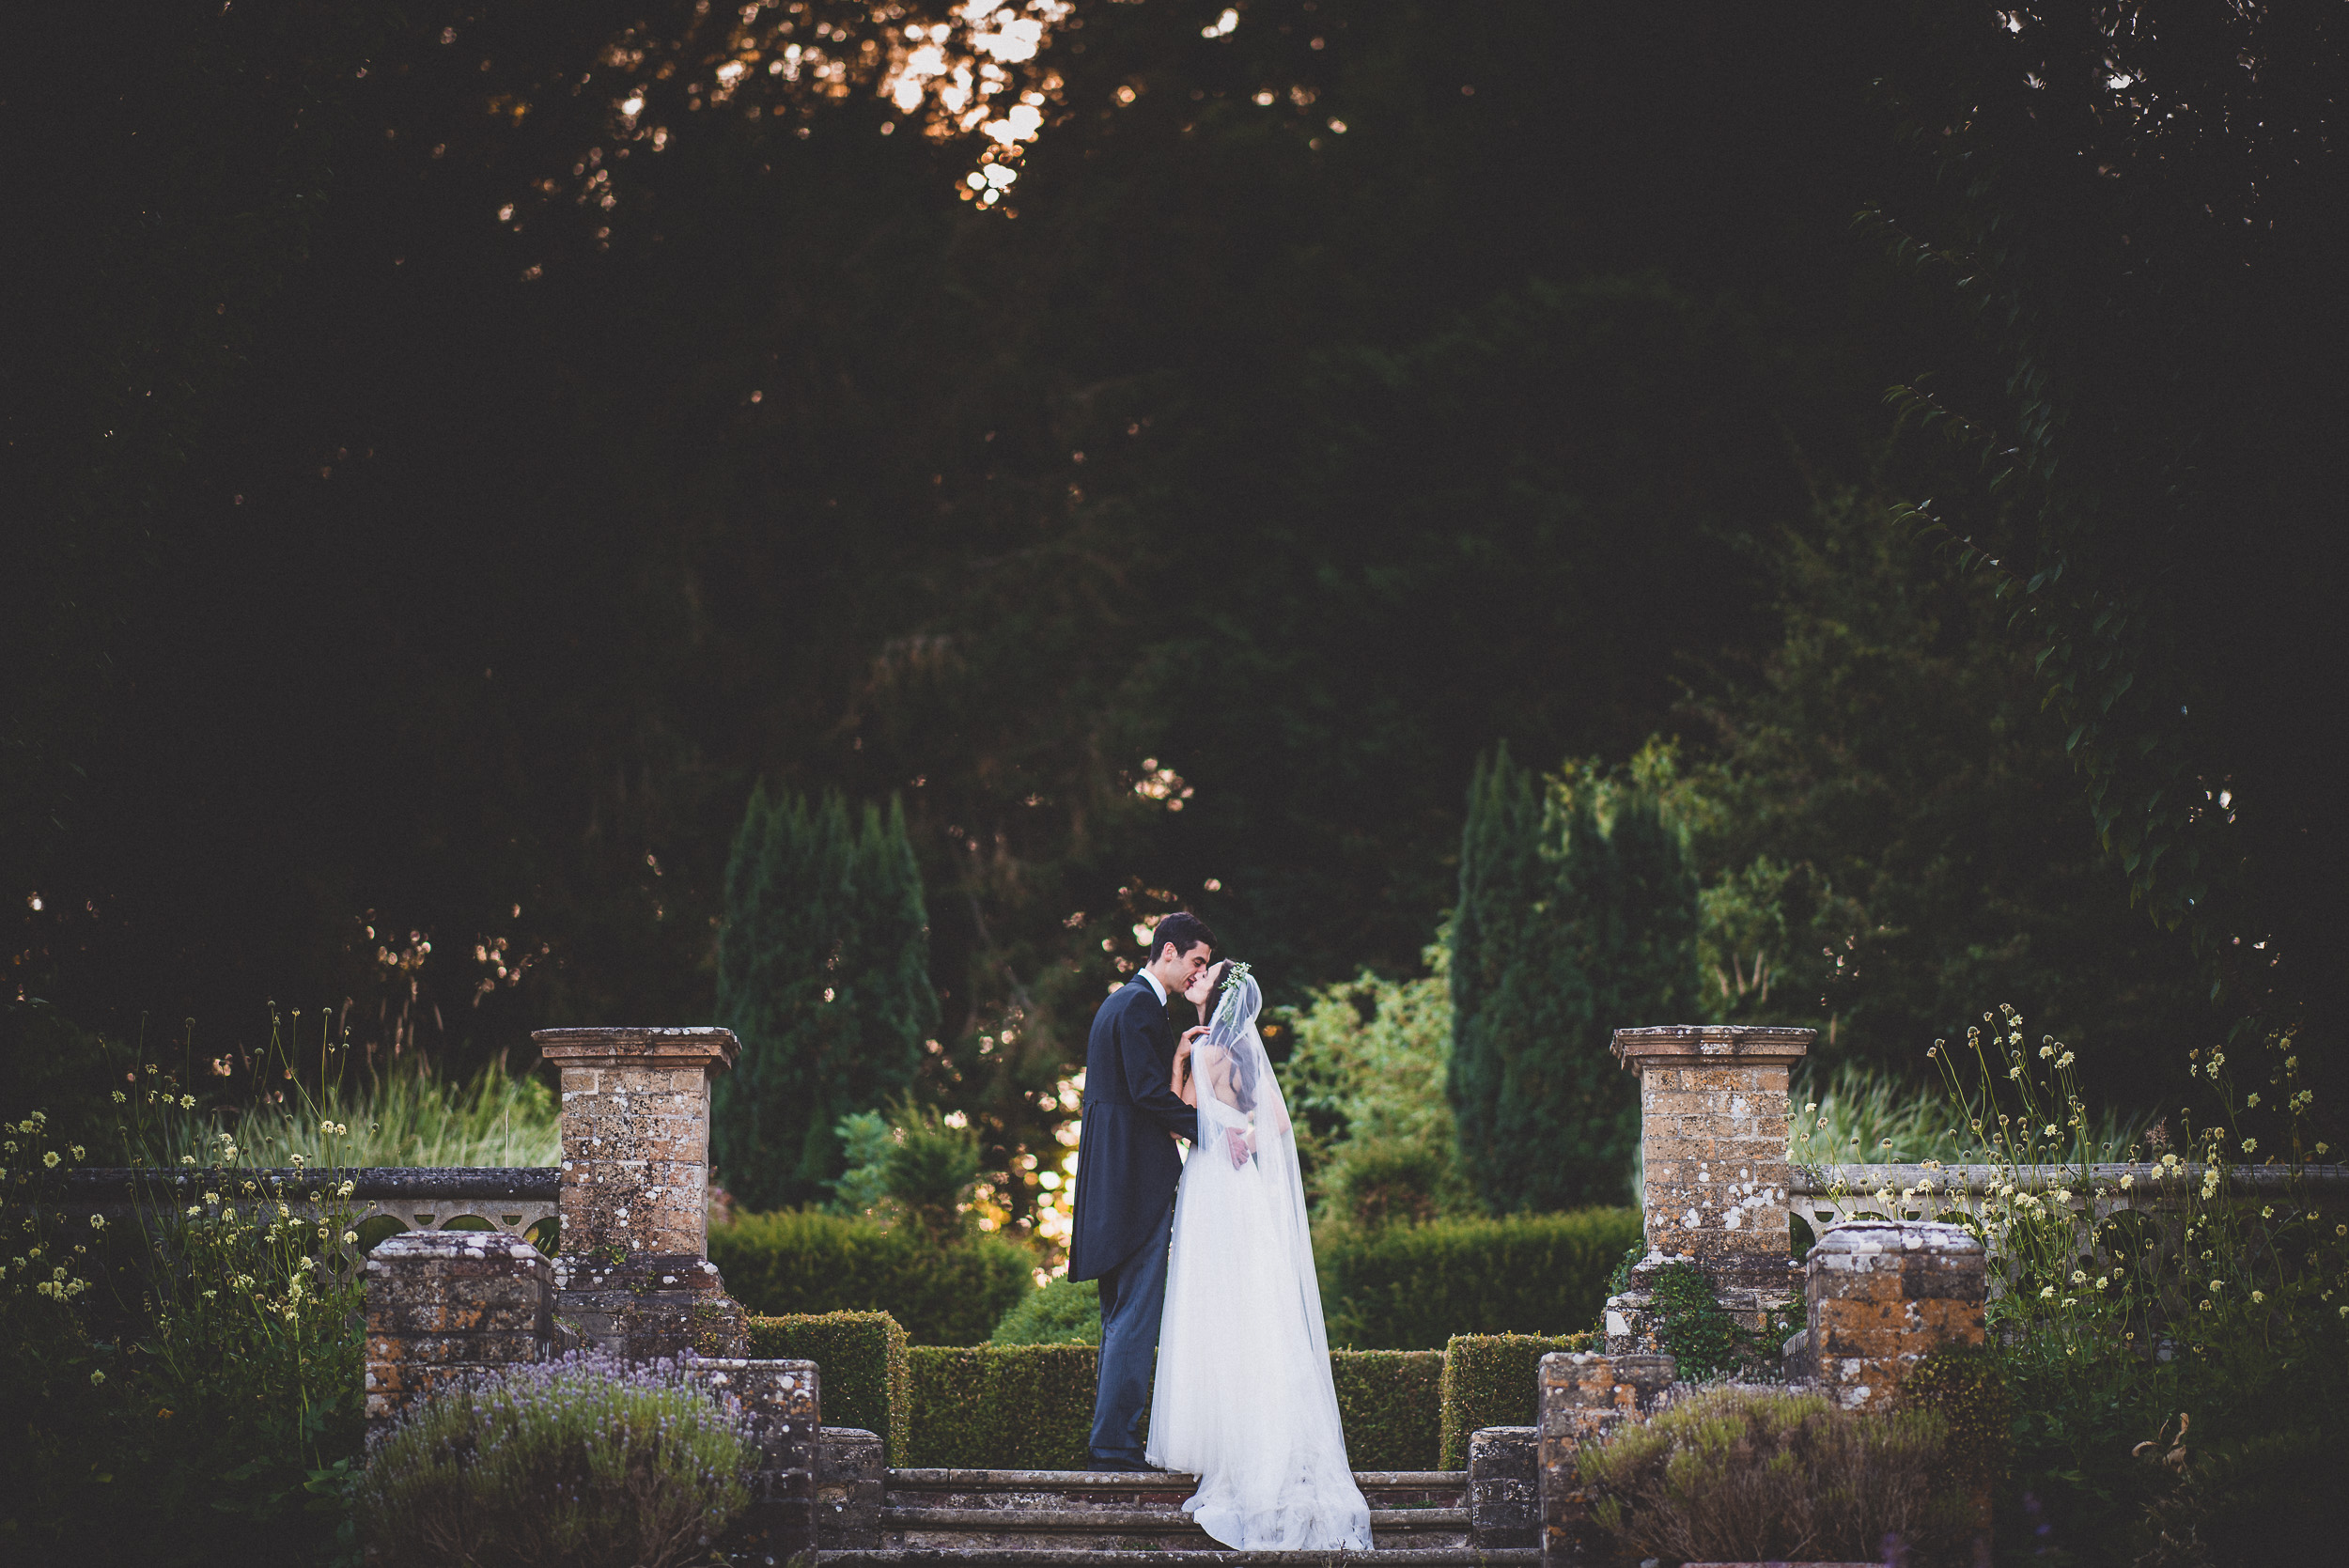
823 975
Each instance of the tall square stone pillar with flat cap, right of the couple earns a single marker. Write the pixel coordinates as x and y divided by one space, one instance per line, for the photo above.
1714 1156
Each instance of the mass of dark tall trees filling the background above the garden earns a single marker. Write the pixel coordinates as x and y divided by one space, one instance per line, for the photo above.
506 480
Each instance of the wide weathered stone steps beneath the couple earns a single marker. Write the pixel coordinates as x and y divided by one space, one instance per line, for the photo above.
1051 1518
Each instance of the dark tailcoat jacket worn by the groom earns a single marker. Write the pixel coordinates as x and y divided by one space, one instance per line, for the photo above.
1126 1163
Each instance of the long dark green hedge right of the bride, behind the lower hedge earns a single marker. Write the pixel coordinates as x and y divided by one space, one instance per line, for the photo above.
1413 1287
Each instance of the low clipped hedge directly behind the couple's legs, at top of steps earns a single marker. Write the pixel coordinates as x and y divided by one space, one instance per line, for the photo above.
1030 1407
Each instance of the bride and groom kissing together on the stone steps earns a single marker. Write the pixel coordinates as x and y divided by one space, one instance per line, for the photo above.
1206 1262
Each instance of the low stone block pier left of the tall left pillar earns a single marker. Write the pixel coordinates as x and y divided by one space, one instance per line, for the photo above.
443 1304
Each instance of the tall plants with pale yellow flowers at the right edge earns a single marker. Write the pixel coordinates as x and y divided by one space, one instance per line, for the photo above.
2153 1356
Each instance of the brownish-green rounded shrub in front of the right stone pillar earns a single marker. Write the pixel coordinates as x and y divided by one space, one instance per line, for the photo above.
1765 1475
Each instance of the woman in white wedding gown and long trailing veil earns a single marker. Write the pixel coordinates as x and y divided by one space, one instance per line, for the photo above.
1244 1393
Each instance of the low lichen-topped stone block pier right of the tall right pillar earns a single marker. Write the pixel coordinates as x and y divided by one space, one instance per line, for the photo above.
1883 1297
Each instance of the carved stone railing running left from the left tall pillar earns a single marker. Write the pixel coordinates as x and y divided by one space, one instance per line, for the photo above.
511 1201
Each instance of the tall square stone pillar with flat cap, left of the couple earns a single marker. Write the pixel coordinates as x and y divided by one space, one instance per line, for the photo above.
633 1271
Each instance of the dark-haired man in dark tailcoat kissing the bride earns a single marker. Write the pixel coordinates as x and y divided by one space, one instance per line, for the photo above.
1126 1172
